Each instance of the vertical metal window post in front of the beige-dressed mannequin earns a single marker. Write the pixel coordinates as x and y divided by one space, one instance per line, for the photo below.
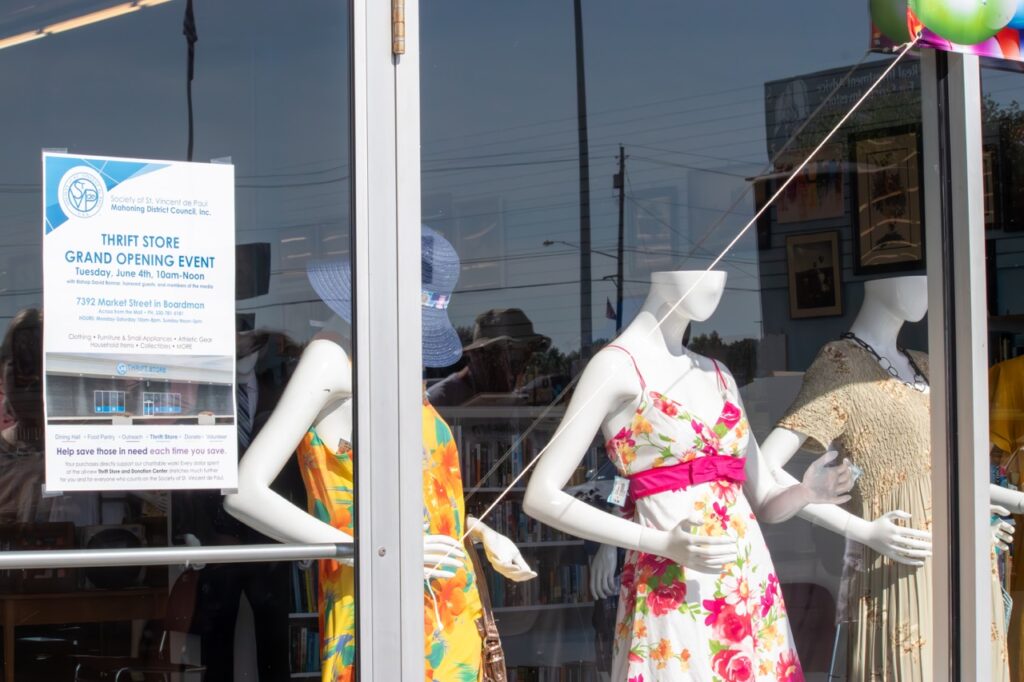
958 347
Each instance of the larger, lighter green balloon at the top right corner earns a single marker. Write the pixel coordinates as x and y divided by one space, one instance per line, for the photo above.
965 22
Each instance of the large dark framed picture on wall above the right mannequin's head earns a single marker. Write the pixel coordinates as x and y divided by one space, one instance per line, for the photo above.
887 201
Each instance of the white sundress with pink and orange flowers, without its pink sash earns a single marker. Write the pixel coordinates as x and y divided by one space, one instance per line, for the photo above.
675 623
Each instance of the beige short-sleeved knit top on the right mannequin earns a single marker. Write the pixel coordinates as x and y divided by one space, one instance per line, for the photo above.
882 424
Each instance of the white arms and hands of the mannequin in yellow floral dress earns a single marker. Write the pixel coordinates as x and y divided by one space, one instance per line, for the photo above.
320 394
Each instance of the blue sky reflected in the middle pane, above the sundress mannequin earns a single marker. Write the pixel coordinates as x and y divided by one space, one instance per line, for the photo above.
681 86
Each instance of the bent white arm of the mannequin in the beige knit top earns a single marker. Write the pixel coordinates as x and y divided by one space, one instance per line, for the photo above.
884 535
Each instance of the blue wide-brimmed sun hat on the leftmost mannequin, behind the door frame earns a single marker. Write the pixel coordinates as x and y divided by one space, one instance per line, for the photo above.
440 266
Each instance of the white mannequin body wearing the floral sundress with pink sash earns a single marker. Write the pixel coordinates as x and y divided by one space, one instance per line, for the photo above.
608 394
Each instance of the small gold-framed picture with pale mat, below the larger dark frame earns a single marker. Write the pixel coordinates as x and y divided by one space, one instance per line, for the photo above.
816 275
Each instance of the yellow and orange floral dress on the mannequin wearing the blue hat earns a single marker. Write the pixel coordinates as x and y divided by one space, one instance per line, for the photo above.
451 606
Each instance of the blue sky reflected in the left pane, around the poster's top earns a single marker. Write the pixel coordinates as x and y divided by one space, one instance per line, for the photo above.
271 93
